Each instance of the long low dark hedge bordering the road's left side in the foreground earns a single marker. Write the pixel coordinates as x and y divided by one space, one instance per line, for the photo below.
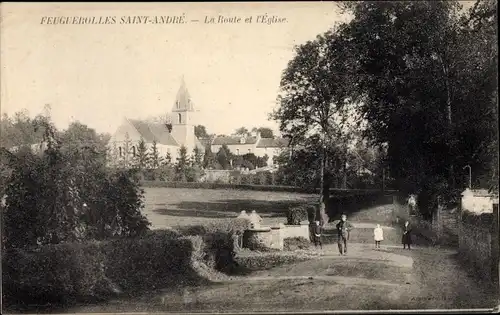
65 273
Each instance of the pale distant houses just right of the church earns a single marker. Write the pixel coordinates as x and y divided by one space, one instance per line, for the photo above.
241 145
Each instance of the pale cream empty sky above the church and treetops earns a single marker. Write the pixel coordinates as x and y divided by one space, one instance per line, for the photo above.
100 73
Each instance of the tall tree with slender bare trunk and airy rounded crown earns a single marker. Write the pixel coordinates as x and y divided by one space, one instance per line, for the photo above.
314 100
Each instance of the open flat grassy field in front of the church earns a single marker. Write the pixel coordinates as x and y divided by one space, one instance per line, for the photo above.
168 207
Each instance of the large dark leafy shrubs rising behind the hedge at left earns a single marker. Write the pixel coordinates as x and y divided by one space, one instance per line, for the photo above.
66 194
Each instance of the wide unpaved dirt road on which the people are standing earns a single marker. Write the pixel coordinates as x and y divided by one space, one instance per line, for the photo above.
365 279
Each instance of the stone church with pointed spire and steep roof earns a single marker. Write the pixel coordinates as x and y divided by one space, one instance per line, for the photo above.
168 140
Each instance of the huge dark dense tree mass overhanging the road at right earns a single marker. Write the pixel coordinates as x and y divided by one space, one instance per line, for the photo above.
438 115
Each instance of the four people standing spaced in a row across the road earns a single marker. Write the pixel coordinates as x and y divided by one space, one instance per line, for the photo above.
343 231
